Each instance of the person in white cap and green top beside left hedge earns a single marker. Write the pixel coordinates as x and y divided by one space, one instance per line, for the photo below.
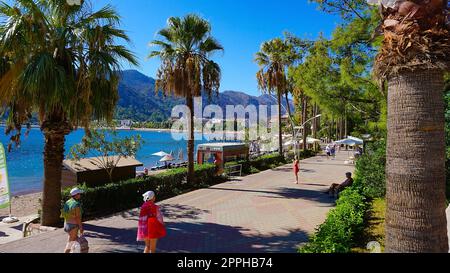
72 215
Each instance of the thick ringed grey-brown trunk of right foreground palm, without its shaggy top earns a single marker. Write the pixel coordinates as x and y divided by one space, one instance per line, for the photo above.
415 170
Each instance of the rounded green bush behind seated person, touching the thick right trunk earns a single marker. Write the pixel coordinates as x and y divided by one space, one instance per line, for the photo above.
371 170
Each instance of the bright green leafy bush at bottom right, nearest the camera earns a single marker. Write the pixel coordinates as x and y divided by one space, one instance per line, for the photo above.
343 224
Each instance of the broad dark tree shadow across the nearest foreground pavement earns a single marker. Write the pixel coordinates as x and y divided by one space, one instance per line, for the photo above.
188 237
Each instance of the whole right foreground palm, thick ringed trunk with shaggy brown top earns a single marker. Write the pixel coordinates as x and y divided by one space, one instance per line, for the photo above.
413 59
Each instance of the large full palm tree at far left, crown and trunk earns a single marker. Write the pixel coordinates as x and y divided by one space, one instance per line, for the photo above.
62 61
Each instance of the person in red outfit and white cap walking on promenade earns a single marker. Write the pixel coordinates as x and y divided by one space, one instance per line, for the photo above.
151 224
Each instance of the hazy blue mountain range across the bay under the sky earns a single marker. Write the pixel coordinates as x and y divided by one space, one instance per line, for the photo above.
138 100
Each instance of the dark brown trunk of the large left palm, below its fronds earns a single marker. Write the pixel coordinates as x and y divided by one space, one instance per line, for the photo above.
53 159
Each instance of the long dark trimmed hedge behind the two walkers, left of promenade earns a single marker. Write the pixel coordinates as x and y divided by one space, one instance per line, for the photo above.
116 197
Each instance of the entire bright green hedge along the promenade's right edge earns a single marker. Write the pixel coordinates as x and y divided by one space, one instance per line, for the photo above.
346 222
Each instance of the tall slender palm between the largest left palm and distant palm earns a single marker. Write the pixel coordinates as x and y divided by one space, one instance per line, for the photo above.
186 68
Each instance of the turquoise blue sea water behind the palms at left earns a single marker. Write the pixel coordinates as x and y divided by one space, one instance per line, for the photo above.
25 164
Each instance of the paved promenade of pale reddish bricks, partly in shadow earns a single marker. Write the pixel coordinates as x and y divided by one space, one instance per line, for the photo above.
265 212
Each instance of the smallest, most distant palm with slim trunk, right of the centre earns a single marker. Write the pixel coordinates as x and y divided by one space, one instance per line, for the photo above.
273 59
